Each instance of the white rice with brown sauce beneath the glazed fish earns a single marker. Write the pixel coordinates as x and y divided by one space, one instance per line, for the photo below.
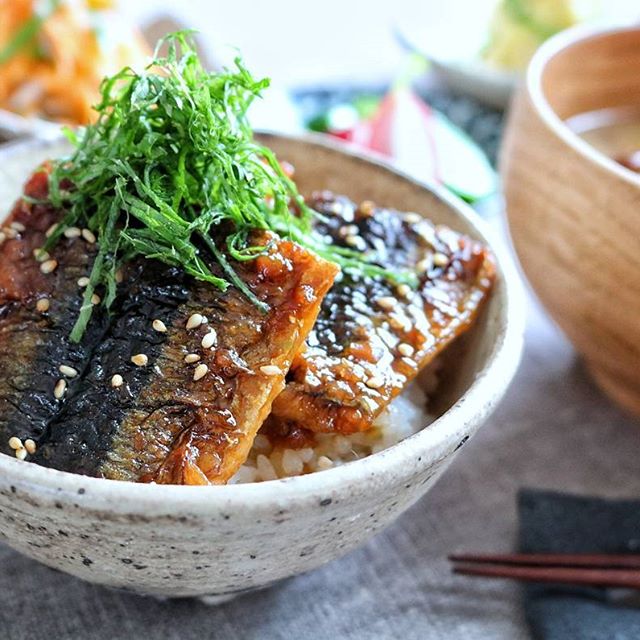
404 416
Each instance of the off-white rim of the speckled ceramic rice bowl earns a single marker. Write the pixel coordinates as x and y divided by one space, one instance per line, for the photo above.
479 400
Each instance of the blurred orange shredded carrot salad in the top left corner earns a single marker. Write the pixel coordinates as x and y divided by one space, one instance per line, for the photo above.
54 54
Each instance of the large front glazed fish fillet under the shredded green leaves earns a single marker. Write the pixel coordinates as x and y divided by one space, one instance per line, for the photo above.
174 384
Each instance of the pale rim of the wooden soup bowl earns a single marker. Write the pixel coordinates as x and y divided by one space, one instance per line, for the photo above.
533 82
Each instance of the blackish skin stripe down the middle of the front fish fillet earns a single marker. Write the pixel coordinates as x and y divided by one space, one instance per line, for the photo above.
80 438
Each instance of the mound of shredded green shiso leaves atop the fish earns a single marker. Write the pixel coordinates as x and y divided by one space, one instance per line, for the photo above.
169 160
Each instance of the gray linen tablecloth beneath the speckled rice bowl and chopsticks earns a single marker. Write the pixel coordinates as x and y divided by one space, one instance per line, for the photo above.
554 430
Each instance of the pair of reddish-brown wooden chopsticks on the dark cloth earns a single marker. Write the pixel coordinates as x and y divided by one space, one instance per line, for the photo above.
595 570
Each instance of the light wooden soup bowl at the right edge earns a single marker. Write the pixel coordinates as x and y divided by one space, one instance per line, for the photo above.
574 213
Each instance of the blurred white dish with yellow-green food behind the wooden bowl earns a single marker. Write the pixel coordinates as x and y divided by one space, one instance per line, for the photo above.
482 48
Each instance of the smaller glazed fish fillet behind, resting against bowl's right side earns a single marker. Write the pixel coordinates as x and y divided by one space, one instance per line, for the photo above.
372 338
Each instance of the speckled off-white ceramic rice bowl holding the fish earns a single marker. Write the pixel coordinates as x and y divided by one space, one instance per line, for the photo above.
221 540
